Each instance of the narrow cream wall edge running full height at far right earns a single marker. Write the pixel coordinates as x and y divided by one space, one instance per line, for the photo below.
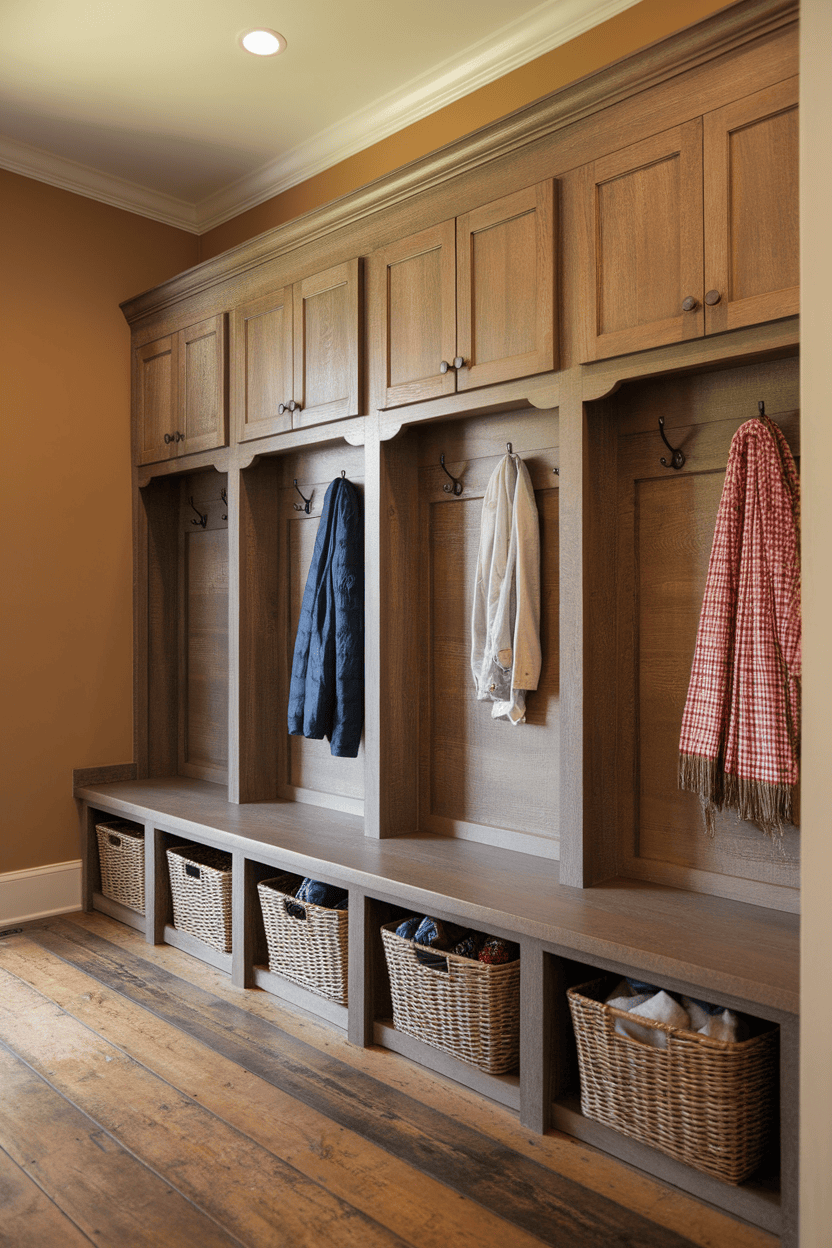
816 466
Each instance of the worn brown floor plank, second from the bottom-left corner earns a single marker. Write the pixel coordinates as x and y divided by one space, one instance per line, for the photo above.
105 1191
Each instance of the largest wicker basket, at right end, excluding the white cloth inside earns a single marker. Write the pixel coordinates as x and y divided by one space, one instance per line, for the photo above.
707 1103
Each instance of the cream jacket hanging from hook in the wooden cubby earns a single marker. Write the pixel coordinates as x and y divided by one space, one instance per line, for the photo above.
506 621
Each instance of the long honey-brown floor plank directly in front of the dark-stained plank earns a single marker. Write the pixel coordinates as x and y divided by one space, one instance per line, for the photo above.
412 1205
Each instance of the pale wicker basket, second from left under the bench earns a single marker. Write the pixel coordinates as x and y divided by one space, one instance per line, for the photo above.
201 892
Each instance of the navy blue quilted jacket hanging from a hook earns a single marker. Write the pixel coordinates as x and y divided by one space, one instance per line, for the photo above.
327 687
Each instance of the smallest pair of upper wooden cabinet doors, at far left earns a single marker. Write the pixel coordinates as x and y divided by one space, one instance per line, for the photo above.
180 400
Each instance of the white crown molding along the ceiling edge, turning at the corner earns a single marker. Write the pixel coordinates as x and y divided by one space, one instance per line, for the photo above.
548 27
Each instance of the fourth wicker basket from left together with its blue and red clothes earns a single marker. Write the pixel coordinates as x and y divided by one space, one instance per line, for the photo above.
457 990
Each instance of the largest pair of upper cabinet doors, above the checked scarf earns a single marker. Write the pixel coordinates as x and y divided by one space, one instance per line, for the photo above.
695 230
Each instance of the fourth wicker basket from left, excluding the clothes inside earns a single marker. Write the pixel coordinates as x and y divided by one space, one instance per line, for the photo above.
471 1010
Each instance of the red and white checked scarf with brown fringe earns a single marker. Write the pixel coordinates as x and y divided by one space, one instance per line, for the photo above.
740 743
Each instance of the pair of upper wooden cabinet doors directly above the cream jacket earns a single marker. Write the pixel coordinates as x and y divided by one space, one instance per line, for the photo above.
467 303
